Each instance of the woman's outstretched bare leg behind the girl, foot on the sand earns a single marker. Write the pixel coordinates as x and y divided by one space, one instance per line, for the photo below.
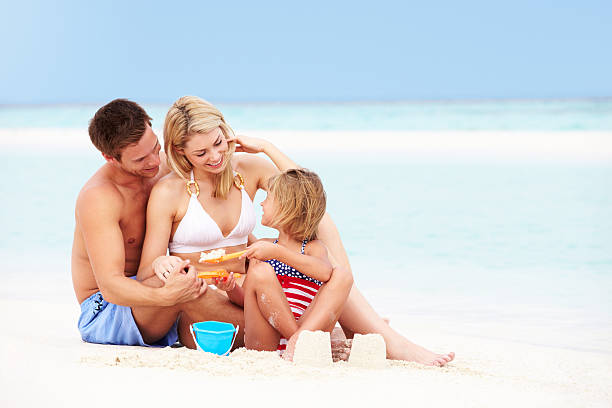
359 317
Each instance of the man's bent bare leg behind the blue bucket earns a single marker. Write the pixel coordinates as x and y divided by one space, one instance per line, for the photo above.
155 322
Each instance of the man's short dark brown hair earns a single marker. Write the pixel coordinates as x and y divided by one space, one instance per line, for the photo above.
117 125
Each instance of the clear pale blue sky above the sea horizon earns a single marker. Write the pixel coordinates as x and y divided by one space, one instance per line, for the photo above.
82 51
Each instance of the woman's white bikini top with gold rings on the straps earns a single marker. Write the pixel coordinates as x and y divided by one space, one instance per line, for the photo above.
197 231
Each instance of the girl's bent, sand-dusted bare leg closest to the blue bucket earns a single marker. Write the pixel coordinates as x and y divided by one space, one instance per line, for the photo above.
266 311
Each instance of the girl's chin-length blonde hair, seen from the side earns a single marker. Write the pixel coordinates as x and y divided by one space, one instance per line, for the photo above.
300 201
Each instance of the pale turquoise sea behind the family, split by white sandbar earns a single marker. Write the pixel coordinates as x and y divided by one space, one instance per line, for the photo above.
520 244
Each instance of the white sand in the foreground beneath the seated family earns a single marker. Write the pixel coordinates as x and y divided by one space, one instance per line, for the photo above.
44 361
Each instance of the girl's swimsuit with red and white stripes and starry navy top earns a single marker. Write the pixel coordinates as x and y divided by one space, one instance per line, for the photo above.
299 289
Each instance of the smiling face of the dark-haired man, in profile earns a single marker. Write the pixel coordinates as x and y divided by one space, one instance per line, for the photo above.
142 158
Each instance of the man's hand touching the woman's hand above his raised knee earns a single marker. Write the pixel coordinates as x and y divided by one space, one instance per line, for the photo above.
183 286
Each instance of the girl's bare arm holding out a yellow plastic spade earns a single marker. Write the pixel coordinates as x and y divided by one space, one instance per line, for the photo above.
313 263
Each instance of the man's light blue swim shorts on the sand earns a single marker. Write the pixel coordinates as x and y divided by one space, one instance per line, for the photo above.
106 323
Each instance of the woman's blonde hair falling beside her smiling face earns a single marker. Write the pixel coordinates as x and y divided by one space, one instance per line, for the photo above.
187 116
